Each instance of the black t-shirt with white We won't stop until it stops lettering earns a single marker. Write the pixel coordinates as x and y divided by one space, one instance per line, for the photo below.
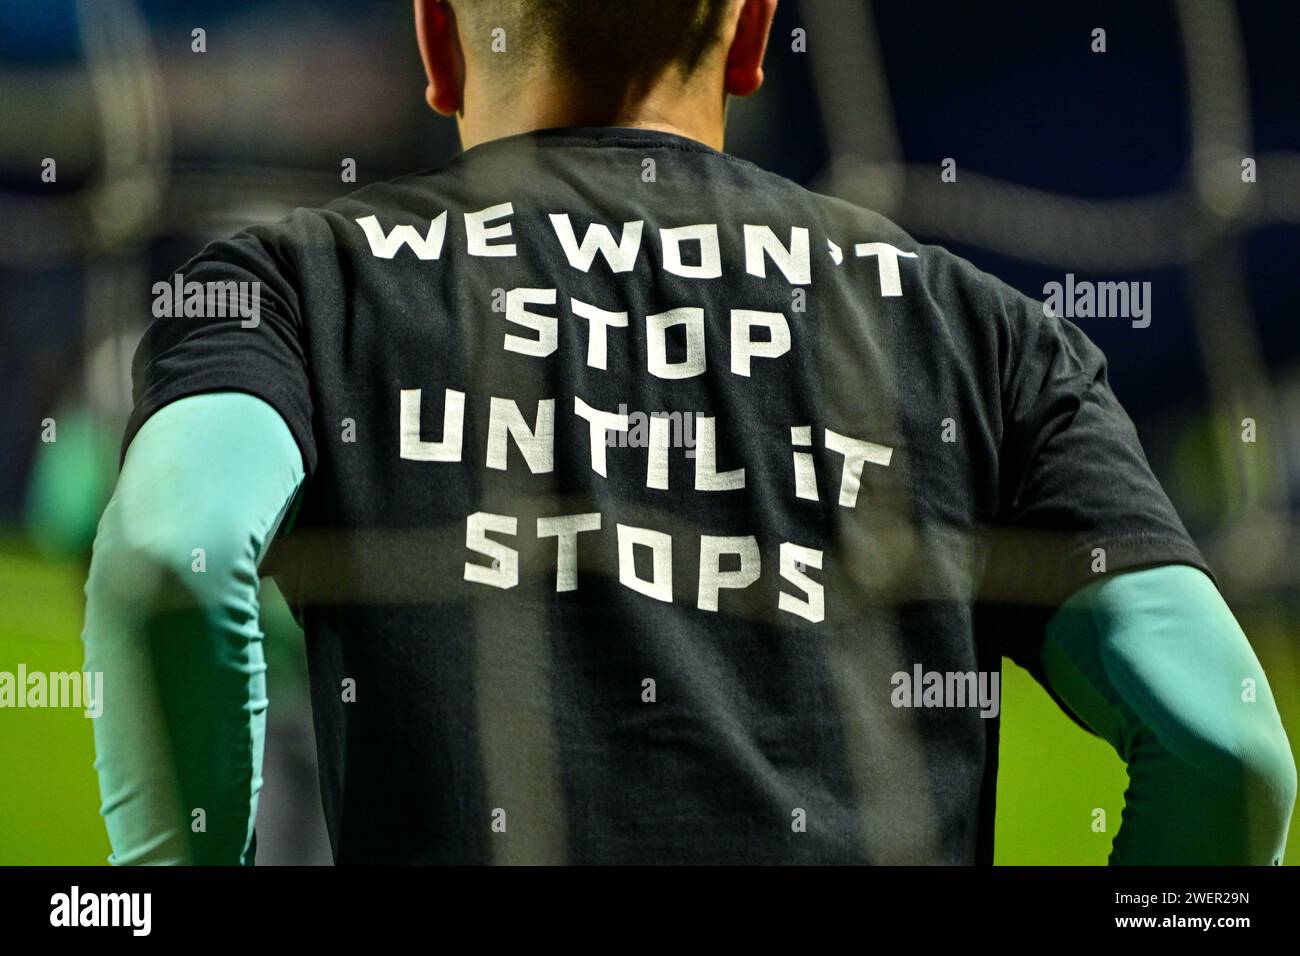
658 509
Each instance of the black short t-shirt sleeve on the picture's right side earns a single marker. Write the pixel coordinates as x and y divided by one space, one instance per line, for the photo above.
1078 498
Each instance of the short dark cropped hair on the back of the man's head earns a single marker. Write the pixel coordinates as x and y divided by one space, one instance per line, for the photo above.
603 41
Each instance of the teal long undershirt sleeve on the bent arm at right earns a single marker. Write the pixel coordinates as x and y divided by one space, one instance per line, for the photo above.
1155 664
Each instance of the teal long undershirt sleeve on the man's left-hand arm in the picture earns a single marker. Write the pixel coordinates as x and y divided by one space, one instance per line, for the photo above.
172 625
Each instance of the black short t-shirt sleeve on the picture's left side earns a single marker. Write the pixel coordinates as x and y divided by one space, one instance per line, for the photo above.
229 321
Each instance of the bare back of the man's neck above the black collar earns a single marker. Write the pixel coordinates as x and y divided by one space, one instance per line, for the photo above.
669 106
